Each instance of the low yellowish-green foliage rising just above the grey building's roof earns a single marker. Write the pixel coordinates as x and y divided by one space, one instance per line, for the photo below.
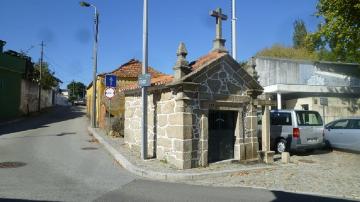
280 51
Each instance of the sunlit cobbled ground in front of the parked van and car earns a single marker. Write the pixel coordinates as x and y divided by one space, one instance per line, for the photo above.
332 173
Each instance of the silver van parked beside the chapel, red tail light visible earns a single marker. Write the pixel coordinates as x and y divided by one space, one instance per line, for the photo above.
292 130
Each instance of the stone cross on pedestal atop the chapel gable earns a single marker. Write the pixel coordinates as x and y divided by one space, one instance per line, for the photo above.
219 42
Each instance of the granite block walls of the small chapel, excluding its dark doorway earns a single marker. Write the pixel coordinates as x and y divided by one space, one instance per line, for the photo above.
178 119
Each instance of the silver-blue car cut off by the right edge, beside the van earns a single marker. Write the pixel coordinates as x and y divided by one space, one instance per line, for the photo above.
343 134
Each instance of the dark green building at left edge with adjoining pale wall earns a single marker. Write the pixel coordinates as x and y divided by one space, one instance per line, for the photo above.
19 94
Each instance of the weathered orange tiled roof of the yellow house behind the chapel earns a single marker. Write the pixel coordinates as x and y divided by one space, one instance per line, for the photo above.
132 69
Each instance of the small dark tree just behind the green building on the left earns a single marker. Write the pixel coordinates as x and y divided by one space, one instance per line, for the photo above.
48 79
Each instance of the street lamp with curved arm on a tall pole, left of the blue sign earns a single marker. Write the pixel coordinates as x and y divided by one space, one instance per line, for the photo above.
96 26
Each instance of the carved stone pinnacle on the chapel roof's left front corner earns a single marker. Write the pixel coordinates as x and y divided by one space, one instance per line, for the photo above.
181 67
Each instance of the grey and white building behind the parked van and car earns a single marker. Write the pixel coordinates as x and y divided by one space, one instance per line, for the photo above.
331 88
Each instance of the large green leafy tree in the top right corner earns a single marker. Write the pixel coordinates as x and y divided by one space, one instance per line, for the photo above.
339 30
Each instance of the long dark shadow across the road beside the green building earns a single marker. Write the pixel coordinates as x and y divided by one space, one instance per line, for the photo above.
55 114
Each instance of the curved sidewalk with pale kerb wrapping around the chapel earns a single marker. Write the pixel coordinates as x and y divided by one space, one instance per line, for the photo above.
159 170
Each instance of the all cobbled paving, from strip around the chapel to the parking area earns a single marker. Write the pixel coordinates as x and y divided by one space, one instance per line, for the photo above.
332 173
